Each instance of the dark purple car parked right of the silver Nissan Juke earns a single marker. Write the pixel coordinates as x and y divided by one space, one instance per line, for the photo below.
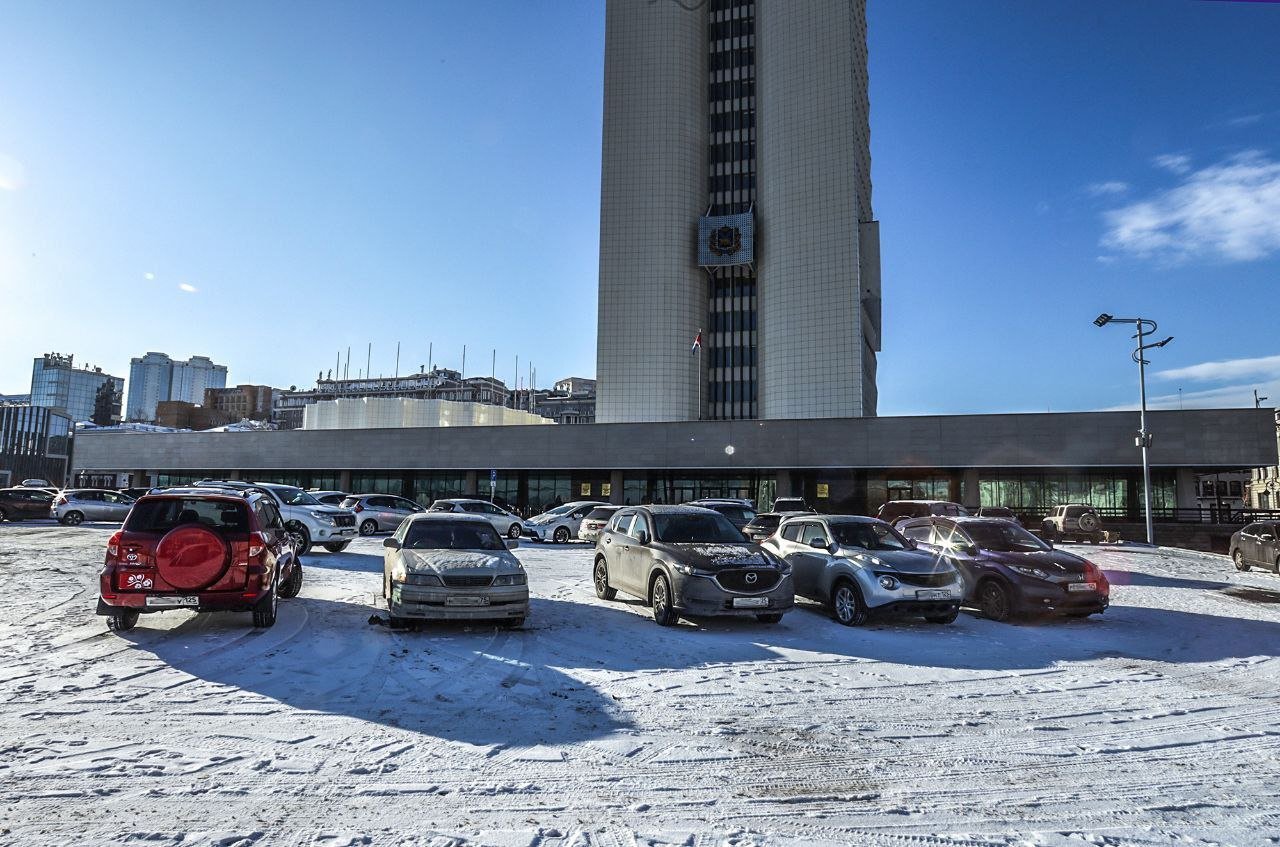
1008 571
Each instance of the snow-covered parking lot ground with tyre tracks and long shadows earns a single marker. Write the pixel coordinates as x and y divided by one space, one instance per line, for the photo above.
1158 724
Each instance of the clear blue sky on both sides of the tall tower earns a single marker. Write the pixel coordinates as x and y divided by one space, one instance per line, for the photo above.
428 173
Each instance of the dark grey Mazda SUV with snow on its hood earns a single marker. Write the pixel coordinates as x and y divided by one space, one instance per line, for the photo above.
684 560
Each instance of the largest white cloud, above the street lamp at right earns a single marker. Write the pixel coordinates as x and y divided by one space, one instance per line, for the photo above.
1228 212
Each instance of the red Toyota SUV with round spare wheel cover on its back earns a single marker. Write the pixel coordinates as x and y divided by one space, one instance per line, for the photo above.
200 551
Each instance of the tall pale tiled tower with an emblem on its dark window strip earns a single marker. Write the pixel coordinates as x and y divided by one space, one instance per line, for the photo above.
735 203
